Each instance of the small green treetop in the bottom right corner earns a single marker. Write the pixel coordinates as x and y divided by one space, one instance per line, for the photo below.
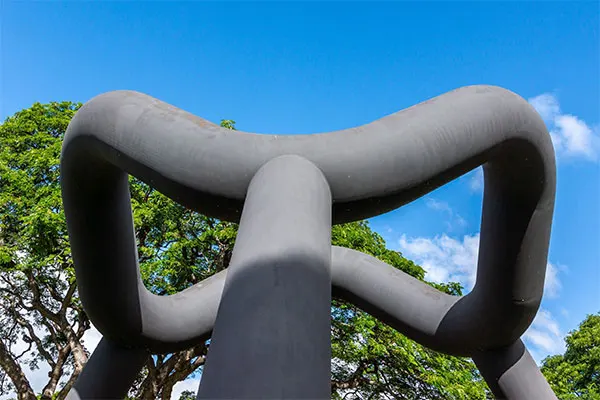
576 373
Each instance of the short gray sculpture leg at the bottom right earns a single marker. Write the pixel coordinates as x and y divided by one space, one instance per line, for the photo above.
512 374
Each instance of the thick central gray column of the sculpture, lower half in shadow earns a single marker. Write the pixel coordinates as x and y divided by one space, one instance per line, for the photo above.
272 333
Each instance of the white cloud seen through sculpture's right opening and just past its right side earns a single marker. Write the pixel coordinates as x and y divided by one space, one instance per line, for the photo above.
448 259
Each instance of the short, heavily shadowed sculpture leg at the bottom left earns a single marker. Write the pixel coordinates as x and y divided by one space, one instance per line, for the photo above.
109 373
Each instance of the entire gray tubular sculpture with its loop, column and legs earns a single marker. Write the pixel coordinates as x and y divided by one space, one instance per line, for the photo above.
268 314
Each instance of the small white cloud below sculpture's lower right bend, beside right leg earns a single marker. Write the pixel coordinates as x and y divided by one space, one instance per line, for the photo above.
544 336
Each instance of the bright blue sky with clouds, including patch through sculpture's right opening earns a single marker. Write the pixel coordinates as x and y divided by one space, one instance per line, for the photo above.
312 67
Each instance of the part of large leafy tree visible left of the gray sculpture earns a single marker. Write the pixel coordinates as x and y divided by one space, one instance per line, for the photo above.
38 304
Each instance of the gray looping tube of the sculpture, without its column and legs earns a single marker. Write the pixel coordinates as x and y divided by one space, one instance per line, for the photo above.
209 169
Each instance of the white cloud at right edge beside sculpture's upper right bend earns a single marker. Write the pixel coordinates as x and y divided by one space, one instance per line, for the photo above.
572 137
